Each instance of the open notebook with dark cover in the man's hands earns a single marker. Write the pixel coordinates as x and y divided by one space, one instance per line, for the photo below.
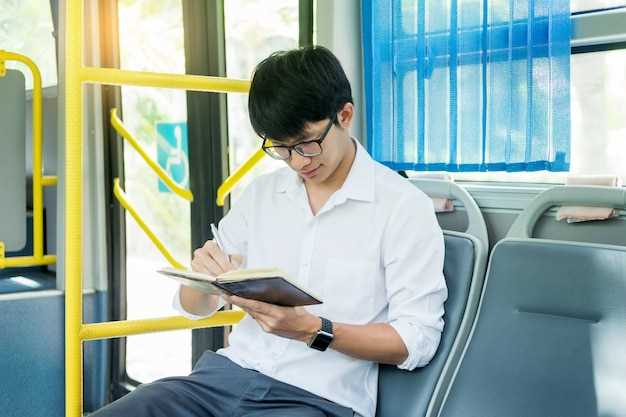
270 285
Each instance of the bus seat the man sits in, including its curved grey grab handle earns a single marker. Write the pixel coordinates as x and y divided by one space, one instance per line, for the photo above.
411 393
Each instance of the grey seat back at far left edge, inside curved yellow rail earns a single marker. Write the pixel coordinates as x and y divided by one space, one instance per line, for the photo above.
13 165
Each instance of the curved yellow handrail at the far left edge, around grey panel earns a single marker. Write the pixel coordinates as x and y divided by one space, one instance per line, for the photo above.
39 181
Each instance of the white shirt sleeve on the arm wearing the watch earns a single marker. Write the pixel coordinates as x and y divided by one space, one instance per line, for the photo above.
413 254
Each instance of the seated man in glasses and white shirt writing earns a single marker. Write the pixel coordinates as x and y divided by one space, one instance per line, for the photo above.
347 228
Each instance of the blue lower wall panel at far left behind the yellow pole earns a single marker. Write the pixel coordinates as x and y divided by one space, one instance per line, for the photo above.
32 354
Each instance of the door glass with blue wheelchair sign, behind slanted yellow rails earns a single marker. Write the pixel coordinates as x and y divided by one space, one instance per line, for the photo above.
151 39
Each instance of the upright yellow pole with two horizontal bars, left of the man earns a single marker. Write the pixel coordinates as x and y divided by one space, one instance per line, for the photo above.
75 75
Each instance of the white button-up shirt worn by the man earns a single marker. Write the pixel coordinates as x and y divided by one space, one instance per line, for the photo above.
374 253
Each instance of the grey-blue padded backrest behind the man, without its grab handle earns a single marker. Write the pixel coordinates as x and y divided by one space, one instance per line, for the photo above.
403 393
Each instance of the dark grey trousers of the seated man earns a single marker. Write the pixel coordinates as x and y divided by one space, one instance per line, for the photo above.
218 387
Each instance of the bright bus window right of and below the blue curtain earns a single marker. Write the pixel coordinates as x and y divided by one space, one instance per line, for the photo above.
597 74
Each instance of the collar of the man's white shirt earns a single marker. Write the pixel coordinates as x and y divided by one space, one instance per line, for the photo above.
359 184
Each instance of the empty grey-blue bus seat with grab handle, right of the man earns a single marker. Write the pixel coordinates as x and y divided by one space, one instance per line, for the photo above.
550 333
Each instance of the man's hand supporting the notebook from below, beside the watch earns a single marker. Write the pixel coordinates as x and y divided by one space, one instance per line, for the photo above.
289 322
